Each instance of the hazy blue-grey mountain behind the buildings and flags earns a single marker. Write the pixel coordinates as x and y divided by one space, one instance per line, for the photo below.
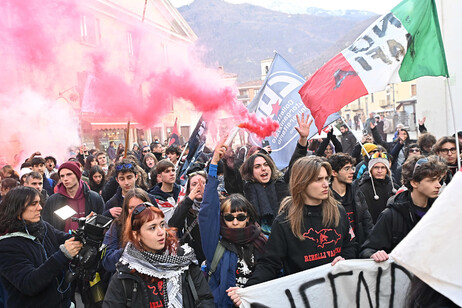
239 36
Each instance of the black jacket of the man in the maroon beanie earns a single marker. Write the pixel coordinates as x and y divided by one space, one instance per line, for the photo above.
93 203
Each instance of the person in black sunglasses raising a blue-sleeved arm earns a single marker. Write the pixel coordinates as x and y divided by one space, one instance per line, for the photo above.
231 229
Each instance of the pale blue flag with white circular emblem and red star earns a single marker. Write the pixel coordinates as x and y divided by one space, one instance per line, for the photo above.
278 98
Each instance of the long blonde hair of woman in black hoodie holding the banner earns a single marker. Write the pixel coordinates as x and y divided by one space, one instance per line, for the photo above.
305 171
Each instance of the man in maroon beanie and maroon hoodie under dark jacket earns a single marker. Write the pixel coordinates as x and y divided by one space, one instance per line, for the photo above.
74 192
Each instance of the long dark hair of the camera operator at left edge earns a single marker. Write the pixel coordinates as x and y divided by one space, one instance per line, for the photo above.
12 207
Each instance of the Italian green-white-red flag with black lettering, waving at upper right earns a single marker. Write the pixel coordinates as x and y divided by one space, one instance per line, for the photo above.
400 46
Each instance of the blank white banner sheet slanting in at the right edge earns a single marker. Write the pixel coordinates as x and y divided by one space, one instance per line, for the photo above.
432 249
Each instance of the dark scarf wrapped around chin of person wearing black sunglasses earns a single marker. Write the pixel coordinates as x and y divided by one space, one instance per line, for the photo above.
246 238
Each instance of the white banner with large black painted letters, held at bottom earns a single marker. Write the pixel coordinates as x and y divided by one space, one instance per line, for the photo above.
350 283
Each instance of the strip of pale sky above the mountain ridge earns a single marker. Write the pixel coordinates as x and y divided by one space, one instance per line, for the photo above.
376 6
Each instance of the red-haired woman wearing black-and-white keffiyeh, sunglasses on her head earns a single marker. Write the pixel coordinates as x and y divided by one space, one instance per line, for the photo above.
154 270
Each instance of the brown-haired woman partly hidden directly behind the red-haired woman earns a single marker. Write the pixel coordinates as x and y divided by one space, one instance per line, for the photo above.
113 237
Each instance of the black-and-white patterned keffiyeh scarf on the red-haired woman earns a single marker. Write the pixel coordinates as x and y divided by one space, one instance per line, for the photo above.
163 266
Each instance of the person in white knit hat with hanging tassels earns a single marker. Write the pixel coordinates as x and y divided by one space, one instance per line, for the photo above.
376 184
